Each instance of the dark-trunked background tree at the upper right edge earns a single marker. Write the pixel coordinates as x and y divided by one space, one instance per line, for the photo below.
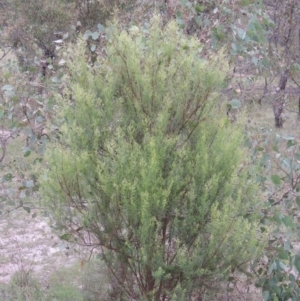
284 49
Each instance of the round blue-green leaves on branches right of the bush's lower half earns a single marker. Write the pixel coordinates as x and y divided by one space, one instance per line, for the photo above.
278 270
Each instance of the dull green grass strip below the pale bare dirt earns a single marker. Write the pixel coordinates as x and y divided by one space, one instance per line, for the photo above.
89 283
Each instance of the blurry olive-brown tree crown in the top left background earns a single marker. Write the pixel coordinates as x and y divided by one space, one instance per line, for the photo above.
34 26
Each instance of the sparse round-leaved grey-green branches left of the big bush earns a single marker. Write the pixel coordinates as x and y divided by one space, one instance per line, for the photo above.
24 111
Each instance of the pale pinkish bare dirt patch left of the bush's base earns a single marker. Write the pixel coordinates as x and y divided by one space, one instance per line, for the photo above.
28 244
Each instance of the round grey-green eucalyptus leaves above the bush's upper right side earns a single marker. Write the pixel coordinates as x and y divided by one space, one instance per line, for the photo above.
238 25
